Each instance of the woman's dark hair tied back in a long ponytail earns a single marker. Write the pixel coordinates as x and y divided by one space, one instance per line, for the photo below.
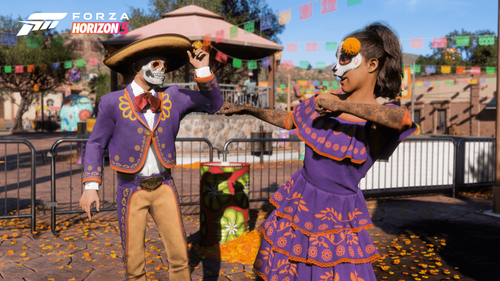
379 41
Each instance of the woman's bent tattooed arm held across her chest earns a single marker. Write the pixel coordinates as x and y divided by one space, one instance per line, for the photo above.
388 116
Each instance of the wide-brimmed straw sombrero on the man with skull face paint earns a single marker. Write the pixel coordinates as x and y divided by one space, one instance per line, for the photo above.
172 46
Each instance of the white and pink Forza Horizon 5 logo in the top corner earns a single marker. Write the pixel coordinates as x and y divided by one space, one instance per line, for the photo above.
44 21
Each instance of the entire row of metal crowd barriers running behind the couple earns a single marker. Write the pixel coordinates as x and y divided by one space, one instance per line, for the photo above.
417 164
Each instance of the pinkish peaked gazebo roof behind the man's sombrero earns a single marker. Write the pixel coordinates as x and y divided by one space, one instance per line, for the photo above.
195 22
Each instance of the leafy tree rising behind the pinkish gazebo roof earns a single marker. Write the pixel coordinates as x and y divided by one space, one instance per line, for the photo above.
234 11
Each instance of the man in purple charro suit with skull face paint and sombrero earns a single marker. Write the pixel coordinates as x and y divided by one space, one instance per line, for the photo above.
138 125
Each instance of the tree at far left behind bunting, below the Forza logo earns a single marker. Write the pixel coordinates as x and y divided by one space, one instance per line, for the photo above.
47 78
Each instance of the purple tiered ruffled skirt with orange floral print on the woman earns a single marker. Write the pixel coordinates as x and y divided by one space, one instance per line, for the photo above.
316 235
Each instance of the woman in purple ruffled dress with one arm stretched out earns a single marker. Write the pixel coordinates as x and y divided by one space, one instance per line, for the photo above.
318 229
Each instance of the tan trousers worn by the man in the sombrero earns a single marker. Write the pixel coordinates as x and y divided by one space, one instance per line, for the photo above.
162 204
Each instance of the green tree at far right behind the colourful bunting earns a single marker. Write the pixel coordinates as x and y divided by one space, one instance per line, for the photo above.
472 55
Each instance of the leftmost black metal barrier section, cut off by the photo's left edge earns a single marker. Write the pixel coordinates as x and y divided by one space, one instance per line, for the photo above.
21 163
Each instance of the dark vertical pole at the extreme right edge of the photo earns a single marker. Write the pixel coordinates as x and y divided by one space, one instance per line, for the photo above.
496 187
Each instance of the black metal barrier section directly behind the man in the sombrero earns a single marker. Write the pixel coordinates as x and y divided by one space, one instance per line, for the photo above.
64 149
